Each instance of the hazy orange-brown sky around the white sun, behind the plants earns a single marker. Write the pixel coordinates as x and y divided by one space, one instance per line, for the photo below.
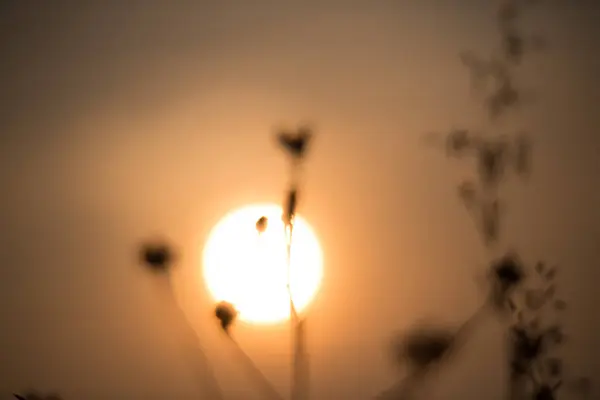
123 121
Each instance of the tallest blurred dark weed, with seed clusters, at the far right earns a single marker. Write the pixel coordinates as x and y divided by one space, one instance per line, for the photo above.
533 369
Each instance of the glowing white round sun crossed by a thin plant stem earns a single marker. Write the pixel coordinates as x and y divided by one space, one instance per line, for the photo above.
249 269
